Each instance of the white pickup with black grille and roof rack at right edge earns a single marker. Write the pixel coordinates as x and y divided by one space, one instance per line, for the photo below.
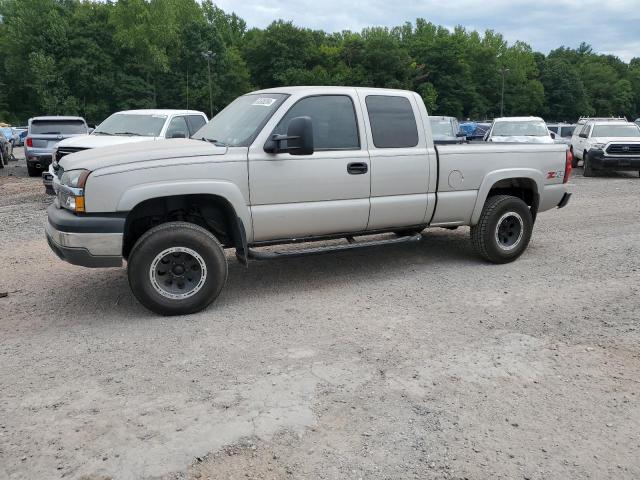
607 144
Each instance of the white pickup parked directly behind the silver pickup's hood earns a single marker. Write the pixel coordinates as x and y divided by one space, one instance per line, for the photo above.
128 127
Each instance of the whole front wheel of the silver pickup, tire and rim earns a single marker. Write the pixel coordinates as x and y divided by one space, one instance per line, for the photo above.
177 268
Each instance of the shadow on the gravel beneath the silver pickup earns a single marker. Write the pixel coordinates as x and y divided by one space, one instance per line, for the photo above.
442 249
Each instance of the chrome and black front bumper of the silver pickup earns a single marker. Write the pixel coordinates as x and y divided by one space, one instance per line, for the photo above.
87 240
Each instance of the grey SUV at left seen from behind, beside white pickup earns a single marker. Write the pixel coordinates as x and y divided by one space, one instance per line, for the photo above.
43 136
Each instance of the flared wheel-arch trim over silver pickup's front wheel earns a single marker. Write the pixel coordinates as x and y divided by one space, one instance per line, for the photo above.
227 190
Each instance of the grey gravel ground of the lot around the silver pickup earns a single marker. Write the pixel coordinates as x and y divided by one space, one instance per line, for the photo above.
407 361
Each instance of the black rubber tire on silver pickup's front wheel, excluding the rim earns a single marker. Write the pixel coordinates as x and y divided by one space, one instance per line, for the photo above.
183 235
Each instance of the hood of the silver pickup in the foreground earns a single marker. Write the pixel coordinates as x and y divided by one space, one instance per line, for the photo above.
139 152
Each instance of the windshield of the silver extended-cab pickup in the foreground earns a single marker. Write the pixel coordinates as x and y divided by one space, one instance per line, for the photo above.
239 123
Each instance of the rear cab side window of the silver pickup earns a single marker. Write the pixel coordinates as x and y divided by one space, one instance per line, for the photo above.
393 123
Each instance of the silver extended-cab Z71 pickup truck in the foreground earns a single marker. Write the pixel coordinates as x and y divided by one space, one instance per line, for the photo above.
287 165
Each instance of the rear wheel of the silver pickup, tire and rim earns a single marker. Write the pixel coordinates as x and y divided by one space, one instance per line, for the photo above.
504 229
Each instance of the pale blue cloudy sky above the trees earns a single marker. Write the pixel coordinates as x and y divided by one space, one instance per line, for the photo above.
609 26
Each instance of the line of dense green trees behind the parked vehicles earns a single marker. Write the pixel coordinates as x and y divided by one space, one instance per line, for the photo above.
90 58
